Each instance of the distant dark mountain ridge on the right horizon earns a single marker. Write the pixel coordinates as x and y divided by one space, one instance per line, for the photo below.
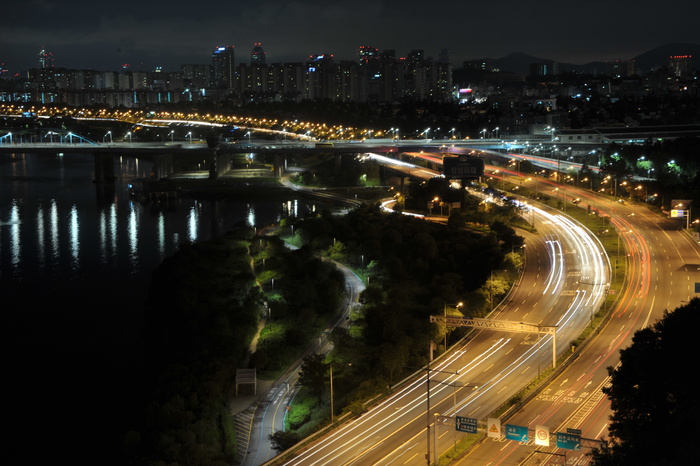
653 59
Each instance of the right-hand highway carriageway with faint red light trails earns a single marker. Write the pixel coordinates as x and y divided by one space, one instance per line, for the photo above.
663 264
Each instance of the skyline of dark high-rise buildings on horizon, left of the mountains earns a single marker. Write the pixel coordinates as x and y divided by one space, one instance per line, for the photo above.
377 77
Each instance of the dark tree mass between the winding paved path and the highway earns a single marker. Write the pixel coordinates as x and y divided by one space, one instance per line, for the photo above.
415 269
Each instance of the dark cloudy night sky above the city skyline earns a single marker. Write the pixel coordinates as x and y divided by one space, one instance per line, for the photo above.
148 33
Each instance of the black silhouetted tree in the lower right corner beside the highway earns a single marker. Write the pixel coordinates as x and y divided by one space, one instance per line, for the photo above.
651 392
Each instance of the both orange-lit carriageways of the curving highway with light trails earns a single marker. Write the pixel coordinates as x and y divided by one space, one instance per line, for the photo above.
563 283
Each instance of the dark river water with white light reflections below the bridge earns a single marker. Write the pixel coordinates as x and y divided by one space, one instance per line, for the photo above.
75 265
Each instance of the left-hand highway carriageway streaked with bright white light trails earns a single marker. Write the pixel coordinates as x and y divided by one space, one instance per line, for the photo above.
481 374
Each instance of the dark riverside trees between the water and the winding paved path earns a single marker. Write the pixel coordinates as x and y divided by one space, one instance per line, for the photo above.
204 306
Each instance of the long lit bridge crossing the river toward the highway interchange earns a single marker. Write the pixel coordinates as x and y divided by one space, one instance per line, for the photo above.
550 154
